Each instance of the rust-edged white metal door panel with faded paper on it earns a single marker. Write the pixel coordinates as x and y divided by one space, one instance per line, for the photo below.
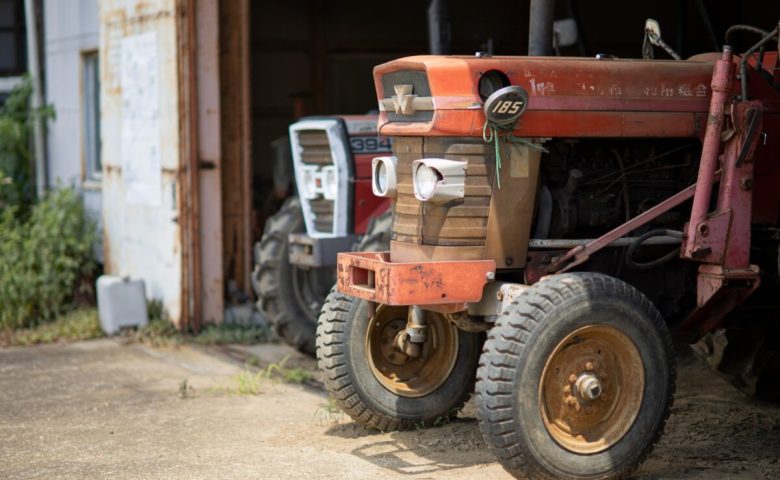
141 206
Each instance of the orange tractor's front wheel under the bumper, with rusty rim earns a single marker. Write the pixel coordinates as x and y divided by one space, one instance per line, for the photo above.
378 385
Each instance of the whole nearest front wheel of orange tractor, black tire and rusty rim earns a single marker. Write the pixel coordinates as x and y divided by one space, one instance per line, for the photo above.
576 380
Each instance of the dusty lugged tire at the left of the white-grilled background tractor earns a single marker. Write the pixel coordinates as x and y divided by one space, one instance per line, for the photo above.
289 296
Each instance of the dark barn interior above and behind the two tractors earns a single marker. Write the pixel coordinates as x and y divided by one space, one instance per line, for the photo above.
316 57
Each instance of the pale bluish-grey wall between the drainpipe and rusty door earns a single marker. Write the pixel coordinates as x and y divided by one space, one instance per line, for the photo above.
70 28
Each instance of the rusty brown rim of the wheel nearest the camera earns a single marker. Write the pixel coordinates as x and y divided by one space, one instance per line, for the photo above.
591 389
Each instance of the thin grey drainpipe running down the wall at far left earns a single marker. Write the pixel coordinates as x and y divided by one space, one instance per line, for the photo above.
36 101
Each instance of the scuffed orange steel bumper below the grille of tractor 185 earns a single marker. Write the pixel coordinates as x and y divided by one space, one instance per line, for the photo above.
372 276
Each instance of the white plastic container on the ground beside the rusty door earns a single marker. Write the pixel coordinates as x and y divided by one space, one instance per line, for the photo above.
121 303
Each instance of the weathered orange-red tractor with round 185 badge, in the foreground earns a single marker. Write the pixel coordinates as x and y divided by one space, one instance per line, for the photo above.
556 222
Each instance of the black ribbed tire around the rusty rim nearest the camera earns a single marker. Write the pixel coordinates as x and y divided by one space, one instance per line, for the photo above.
515 356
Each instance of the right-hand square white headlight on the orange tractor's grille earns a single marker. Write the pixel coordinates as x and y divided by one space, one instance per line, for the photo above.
438 180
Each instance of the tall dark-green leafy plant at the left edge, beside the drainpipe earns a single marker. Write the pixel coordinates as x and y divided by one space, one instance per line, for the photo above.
16 125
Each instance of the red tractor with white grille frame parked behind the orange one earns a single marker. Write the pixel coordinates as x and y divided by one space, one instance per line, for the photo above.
296 257
